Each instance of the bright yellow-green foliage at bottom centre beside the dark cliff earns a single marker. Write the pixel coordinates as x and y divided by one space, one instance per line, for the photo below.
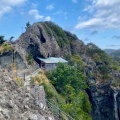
79 107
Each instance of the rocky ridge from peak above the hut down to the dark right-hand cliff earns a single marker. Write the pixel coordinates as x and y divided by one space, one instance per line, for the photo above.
46 39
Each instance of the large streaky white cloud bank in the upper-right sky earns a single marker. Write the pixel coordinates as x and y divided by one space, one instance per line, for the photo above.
104 15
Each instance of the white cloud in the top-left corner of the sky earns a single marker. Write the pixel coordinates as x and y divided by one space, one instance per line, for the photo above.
7 5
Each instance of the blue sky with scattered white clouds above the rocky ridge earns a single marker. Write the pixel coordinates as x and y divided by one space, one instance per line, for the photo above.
96 21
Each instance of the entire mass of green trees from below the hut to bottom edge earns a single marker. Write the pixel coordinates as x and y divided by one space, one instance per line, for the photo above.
70 84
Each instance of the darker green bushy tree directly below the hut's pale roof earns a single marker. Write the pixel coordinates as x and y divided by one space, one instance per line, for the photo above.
65 75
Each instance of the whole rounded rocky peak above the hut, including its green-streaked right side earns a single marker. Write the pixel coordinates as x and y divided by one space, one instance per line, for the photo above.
41 40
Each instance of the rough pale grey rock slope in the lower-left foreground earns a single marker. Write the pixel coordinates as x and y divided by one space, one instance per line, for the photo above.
21 103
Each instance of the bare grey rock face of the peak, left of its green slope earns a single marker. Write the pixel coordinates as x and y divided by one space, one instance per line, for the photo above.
36 41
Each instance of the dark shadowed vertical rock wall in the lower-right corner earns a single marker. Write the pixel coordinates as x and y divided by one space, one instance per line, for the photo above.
105 102
